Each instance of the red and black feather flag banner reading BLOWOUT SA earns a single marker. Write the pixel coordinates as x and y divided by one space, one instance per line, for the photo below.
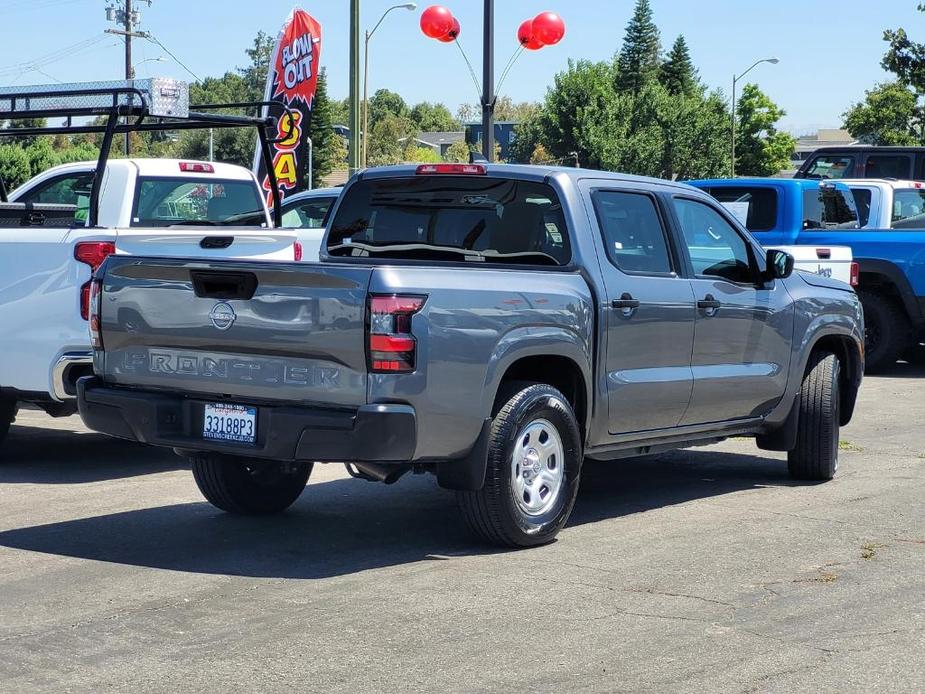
291 81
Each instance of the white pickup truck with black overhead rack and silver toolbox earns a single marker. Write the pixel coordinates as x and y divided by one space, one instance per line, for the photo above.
58 228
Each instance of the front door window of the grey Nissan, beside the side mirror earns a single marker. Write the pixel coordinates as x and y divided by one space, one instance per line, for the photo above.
716 249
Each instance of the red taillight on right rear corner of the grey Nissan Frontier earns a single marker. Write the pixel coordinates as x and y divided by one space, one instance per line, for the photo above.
392 347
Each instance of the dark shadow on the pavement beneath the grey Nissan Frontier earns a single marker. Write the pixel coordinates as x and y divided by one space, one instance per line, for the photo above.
346 526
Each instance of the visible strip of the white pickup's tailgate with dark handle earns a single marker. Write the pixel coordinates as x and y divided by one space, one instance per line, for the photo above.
208 242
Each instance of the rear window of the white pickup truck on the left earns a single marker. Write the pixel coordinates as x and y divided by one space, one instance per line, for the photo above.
164 202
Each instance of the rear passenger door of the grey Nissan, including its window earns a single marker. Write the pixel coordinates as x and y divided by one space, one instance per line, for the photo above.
648 312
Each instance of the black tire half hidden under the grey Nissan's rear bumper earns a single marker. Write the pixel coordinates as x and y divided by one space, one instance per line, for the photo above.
249 487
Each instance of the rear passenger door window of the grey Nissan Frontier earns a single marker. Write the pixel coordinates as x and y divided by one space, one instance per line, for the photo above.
633 233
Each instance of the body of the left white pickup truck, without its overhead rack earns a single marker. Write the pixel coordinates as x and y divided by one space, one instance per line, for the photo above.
147 207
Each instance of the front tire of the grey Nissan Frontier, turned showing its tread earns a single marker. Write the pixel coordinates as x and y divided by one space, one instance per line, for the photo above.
815 457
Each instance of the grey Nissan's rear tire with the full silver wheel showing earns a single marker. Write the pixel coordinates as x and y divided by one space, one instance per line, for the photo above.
492 513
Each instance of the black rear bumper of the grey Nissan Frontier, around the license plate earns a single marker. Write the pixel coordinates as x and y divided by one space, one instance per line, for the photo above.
372 433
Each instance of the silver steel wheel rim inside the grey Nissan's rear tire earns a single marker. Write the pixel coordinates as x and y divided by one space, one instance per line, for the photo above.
537 467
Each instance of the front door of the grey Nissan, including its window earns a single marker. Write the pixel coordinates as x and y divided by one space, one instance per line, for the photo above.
743 332
